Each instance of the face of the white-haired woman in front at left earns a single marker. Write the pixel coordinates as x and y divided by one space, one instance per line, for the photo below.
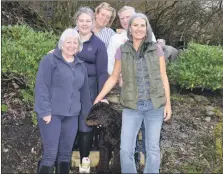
70 46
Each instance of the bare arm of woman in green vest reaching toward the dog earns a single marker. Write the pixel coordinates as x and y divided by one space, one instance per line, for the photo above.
111 82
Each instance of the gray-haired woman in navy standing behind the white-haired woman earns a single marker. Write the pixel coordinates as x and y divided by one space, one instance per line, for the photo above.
94 55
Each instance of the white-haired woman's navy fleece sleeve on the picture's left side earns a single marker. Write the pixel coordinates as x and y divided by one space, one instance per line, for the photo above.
42 88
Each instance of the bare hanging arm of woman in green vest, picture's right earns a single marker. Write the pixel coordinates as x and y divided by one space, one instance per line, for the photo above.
167 109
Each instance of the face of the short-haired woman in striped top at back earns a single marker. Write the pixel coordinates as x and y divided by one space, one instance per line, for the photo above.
103 17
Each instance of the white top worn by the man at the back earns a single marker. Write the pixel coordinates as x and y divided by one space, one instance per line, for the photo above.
115 42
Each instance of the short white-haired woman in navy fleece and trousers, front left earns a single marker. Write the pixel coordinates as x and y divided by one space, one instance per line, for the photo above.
61 95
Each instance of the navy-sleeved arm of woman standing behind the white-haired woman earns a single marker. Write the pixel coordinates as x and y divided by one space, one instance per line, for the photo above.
101 66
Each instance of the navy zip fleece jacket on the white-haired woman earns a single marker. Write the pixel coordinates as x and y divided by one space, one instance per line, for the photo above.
61 88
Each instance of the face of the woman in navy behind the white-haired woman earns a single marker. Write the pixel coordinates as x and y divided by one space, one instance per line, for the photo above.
84 24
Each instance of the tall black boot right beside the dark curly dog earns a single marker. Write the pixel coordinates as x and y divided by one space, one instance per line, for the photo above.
85 143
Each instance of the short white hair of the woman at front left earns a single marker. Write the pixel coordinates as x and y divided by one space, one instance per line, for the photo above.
68 33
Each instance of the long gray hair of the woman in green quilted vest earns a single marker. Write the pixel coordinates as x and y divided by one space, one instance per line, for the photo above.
148 37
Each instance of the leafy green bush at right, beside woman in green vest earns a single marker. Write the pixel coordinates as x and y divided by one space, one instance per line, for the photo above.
199 66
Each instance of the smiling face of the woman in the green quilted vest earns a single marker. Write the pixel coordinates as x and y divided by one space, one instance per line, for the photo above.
138 29
